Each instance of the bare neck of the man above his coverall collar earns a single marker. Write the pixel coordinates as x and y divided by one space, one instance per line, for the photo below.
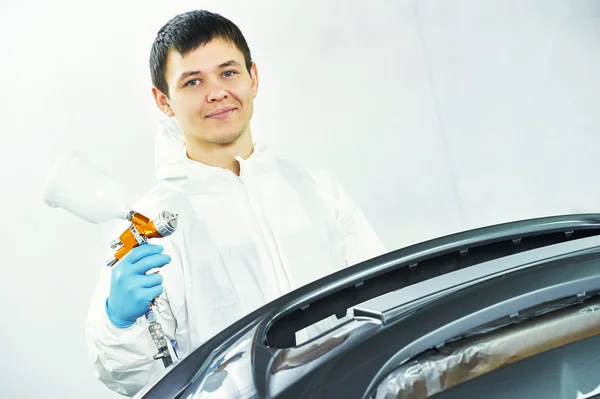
220 155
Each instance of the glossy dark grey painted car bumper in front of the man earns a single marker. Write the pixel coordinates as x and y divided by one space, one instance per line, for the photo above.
350 360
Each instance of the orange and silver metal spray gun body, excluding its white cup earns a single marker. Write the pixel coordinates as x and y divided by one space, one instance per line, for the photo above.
138 233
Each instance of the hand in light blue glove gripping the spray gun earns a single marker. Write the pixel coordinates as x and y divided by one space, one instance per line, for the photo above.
131 290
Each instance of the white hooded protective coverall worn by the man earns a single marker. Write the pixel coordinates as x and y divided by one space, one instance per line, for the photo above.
241 242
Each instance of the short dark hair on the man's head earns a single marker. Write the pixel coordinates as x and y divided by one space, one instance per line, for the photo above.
185 33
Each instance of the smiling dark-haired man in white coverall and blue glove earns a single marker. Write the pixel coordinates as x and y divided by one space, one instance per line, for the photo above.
251 226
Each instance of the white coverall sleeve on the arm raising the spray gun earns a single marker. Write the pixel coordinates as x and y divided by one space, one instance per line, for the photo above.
122 358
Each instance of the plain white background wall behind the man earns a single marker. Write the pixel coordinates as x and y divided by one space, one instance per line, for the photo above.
437 116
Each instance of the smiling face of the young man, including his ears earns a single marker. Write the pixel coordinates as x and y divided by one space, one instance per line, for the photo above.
211 93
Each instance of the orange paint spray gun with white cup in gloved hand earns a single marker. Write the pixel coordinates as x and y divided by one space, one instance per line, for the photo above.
91 194
